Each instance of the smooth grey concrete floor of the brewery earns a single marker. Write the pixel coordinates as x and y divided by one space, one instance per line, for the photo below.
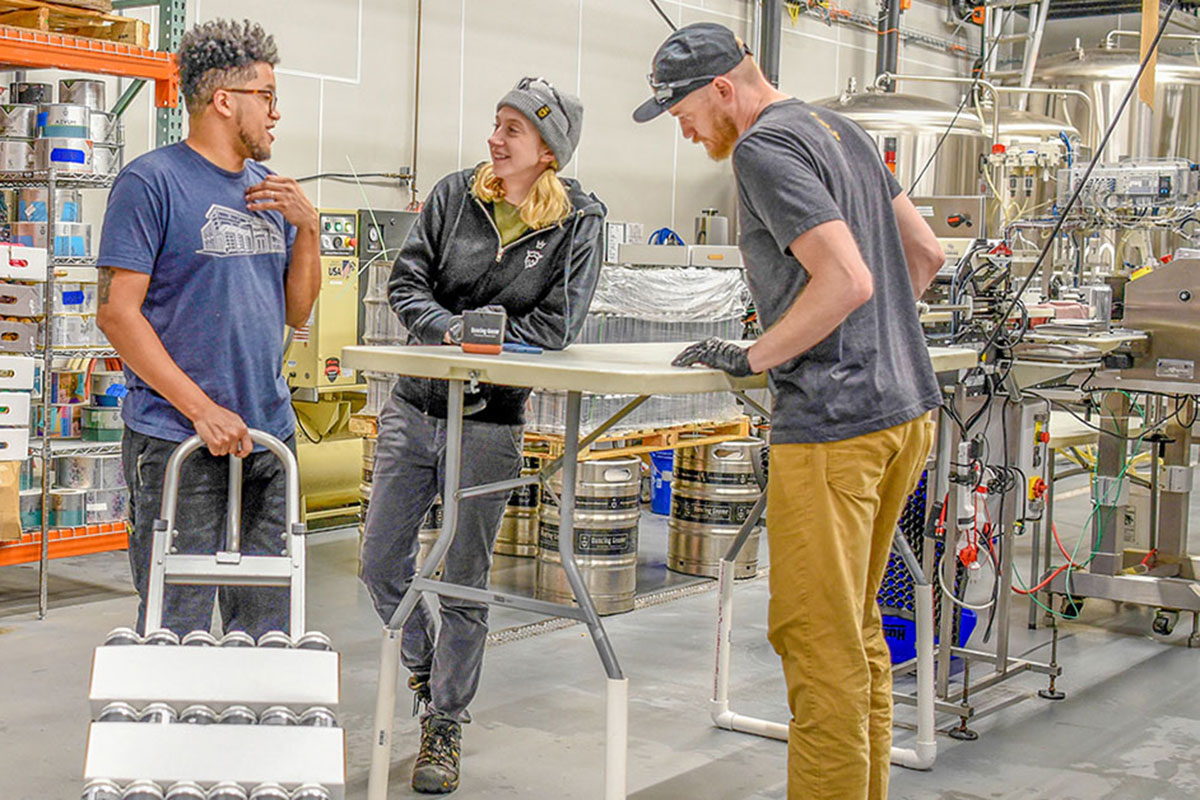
1129 730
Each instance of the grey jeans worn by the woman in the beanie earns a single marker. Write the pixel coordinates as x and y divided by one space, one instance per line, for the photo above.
410 473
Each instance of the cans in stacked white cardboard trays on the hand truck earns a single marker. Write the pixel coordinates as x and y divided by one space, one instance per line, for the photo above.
230 719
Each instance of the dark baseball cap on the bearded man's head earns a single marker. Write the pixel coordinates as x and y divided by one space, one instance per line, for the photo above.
689 61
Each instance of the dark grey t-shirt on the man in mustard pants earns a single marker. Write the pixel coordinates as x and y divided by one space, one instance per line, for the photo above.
797 167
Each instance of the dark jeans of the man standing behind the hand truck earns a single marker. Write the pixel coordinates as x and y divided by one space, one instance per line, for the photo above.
201 522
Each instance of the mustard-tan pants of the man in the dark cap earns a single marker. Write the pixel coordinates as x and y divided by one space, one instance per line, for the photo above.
832 509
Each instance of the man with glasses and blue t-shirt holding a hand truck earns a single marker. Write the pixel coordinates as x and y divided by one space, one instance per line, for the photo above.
206 256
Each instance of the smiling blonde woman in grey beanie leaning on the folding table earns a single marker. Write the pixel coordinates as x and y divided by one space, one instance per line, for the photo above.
508 233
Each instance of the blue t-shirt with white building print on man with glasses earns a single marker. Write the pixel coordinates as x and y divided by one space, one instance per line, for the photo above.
217 296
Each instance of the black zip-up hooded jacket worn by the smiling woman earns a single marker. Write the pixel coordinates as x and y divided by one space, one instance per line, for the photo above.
454 262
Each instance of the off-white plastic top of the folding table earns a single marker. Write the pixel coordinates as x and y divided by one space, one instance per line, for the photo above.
643 369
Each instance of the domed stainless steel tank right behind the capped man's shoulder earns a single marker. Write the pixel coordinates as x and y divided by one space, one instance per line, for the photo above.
910 128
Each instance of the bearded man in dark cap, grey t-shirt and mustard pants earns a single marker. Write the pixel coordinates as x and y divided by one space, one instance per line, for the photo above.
836 256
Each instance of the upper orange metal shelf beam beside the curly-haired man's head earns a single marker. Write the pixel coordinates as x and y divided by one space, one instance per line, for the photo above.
35 50
